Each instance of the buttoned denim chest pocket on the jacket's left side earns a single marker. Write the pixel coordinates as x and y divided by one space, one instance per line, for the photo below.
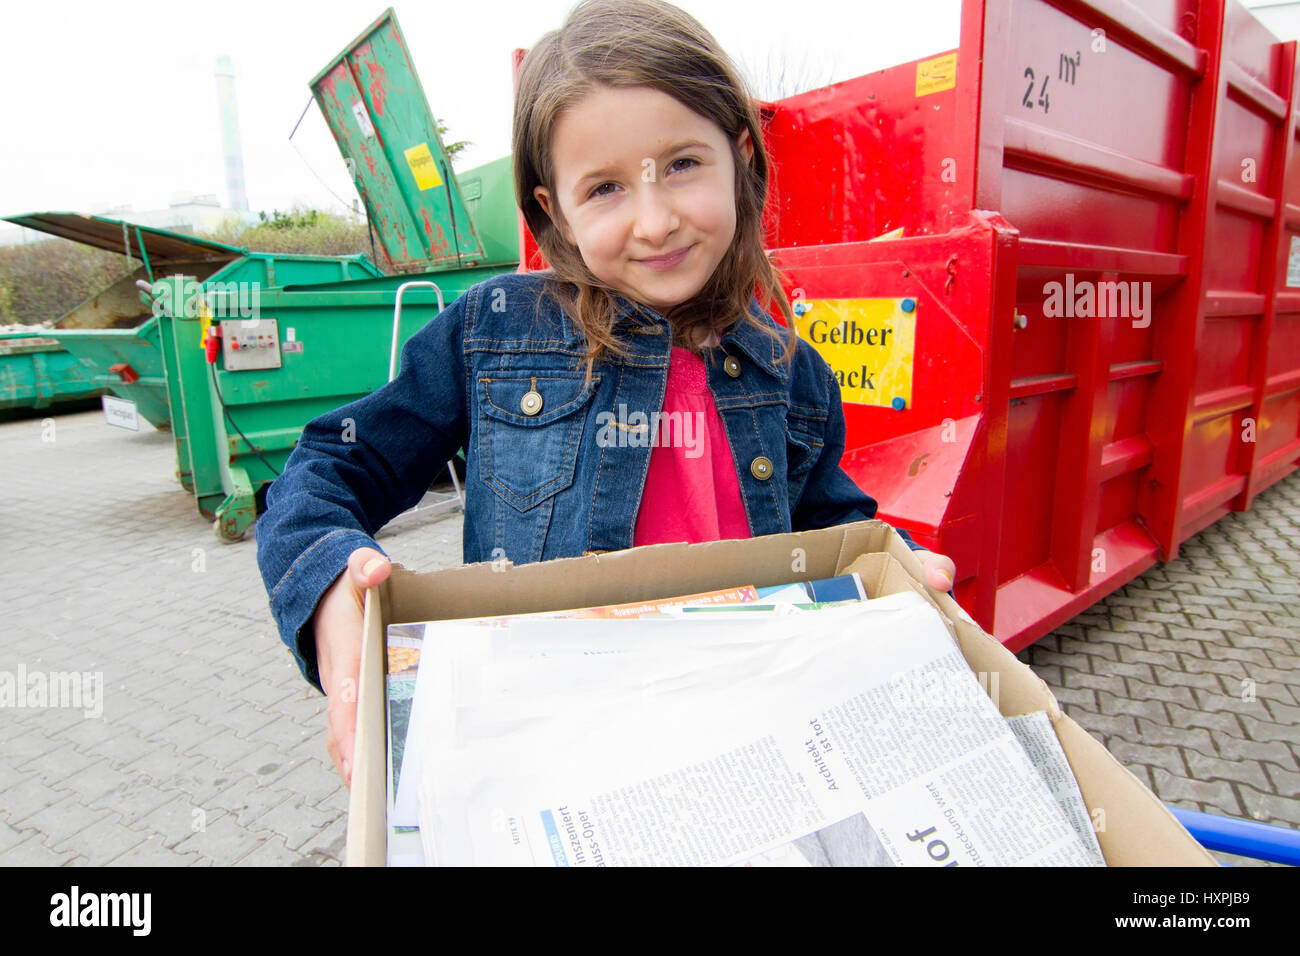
530 431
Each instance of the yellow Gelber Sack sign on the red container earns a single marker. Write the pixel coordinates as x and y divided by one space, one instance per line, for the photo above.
869 344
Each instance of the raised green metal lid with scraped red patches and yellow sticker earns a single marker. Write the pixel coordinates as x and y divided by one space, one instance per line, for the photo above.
376 109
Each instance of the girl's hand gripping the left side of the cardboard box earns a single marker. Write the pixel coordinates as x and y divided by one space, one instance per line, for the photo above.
337 625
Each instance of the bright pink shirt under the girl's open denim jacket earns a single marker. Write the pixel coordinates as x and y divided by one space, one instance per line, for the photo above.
692 492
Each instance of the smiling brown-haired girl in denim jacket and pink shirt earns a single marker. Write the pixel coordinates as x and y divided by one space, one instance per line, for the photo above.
642 172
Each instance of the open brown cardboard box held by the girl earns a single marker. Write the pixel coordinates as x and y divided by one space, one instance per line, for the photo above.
1134 827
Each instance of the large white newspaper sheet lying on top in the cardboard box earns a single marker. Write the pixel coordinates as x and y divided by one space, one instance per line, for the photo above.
847 736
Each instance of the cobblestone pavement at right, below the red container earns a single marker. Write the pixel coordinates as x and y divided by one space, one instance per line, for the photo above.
1191 673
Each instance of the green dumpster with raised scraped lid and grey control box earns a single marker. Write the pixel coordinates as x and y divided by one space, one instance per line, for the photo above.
320 347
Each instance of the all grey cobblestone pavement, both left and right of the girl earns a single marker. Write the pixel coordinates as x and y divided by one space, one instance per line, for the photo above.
211 747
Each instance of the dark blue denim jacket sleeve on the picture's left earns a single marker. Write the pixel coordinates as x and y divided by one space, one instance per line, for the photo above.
354 470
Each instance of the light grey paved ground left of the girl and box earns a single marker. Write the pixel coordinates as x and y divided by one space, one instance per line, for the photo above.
210 749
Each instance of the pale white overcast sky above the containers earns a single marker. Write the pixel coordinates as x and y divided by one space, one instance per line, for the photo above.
115 103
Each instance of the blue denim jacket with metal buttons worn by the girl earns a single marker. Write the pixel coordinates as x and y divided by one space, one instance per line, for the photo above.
501 374
